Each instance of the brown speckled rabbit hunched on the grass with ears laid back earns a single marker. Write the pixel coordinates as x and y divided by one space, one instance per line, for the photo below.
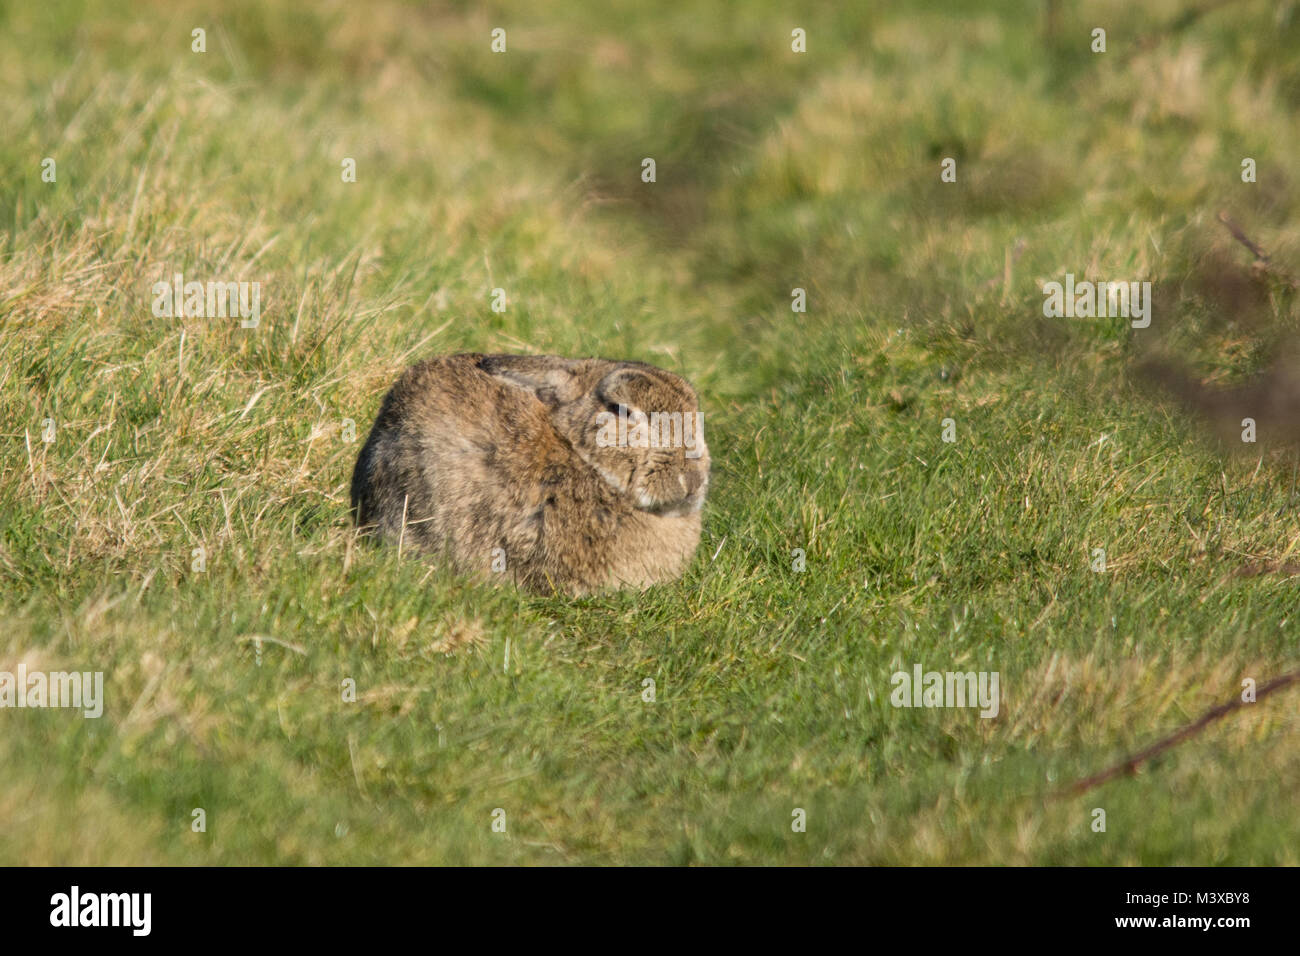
540 468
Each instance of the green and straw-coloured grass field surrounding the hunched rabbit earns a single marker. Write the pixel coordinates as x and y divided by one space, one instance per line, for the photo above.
775 171
